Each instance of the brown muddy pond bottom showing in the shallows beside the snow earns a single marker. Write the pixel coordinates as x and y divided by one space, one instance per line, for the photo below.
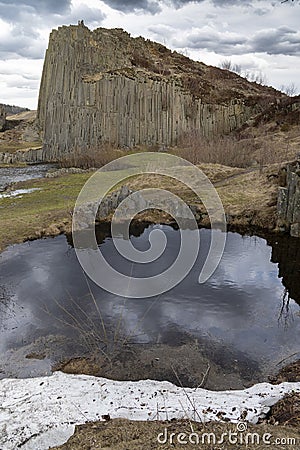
192 364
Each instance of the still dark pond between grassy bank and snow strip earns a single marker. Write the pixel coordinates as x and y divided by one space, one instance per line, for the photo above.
247 313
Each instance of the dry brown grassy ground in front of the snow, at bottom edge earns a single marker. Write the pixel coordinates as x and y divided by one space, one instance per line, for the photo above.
120 434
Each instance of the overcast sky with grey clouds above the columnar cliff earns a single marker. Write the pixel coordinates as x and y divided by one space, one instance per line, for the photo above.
260 35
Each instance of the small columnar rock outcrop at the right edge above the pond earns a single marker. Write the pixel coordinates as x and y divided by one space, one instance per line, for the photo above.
288 206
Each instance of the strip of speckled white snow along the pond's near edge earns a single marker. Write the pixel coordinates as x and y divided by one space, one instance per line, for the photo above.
39 413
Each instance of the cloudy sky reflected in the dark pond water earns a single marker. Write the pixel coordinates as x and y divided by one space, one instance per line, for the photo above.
239 305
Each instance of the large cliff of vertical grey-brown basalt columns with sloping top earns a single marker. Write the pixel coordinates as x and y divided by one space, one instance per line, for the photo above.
103 86
